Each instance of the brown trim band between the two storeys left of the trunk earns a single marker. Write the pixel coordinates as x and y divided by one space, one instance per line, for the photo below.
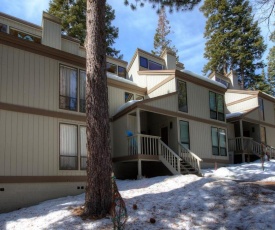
42 112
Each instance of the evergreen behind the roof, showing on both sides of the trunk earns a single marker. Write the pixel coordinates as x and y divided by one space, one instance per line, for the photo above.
73 19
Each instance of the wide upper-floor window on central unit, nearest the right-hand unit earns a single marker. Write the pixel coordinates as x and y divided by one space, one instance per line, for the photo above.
216 103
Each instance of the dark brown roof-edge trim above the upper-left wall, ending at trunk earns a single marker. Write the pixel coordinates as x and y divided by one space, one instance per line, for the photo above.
42 50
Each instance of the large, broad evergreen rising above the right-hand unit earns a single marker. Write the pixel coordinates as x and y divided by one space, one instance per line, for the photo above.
233 39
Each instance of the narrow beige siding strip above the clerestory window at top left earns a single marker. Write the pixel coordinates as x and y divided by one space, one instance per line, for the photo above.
22 27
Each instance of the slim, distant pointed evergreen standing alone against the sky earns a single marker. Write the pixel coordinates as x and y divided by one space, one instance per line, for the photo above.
161 42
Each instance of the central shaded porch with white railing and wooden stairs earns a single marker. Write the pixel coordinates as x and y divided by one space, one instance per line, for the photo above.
153 137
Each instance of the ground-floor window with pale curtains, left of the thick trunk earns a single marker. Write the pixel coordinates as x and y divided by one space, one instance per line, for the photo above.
68 152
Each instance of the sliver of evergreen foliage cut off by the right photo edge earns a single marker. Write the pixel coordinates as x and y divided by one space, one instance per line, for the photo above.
271 65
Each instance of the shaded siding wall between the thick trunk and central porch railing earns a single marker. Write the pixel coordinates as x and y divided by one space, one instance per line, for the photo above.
120 139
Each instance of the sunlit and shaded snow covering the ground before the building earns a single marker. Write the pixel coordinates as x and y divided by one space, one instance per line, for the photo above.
176 202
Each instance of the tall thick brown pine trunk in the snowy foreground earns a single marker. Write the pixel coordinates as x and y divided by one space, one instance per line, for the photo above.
99 166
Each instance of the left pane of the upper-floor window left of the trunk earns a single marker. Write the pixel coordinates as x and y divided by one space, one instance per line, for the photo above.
68 88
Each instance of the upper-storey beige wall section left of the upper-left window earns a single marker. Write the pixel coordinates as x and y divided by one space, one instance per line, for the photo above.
28 79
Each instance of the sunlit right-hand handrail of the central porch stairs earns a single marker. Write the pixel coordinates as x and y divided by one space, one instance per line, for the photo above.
190 158
